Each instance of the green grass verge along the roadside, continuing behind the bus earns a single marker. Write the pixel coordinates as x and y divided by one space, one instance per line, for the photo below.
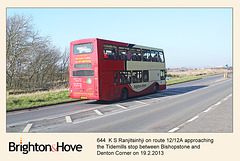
54 97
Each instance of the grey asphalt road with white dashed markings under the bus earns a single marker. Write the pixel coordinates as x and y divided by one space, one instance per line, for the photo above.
198 106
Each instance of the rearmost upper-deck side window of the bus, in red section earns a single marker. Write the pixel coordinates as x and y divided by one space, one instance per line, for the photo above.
110 52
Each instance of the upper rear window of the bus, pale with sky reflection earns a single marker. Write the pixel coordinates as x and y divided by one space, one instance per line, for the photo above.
83 48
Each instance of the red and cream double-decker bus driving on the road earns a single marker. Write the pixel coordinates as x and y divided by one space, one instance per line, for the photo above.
109 70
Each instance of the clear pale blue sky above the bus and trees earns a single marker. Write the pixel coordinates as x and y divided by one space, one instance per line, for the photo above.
190 37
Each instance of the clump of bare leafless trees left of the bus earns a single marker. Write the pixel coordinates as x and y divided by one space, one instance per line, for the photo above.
32 61
